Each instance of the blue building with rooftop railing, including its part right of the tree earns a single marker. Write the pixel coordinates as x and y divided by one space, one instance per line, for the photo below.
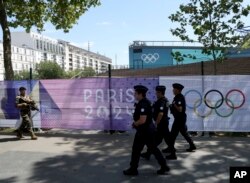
144 54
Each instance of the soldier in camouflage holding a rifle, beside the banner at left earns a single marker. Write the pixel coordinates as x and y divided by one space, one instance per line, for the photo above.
23 103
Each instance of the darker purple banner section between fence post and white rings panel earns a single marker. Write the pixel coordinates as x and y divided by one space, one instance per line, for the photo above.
123 100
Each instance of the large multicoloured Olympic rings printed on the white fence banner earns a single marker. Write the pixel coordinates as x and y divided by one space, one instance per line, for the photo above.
229 103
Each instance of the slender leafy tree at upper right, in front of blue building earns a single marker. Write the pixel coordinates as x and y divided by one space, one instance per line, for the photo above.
213 22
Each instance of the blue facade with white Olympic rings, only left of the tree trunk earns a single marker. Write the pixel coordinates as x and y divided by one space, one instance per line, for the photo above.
142 55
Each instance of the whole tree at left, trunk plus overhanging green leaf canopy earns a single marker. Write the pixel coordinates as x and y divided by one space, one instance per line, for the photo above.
35 13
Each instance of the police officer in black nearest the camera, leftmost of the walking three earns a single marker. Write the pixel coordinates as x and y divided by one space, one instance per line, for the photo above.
145 133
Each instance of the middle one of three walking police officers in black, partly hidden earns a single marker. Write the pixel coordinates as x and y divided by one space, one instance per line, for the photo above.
160 116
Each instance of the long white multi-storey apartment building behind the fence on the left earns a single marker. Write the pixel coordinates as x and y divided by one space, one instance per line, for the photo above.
29 49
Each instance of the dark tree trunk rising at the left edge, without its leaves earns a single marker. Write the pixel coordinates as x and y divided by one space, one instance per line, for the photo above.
9 73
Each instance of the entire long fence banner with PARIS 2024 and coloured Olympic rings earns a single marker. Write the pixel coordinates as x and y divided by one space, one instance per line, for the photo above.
214 103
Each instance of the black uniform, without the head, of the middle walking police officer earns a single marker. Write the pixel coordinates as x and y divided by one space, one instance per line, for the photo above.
161 105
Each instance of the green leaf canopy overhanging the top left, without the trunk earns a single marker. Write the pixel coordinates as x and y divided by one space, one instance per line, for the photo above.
61 13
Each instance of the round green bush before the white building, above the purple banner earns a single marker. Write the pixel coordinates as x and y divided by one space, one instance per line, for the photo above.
49 70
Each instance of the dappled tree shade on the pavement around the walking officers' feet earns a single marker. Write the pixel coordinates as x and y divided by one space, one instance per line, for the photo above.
102 157
